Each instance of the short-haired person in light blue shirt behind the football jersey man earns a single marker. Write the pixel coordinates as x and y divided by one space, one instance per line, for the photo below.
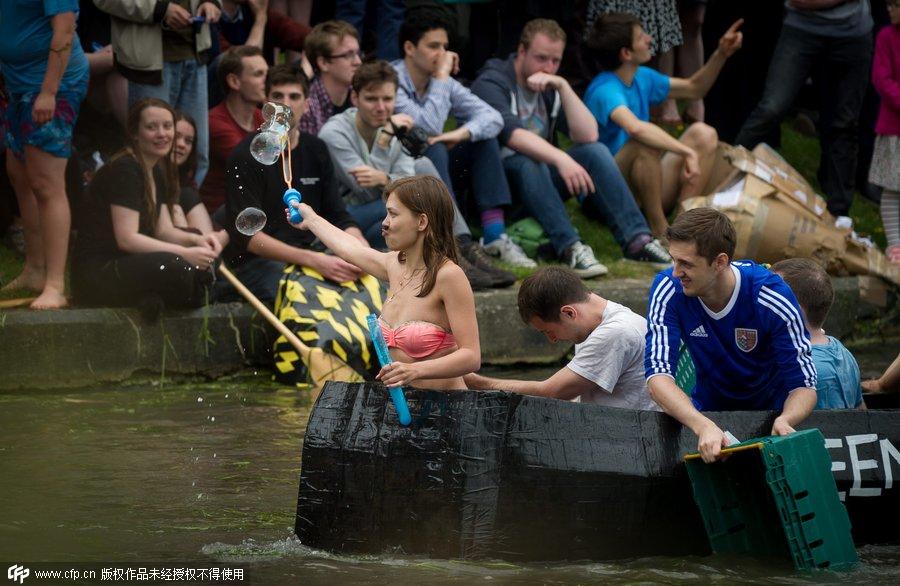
838 373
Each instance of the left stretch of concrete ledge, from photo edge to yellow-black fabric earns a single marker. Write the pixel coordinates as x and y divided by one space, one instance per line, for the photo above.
78 347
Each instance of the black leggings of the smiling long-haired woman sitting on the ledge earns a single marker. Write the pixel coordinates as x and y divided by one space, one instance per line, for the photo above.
127 280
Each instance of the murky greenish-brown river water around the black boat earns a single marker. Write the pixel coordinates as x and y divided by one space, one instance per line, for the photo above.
207 474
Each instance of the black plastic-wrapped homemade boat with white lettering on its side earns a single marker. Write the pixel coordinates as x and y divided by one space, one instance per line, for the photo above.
500 475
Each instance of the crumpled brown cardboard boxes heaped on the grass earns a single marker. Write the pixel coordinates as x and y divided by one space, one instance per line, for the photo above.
777 215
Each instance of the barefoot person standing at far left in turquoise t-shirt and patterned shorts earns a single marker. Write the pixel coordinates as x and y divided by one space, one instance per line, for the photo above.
46 75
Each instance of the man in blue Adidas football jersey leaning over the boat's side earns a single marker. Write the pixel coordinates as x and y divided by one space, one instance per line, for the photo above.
742 325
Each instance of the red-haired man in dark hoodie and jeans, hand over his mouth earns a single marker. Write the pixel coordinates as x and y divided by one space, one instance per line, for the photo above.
536 103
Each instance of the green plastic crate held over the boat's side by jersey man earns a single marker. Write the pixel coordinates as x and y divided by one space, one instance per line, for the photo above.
775 496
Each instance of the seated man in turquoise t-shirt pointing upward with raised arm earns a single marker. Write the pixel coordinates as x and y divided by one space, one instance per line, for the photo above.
659 168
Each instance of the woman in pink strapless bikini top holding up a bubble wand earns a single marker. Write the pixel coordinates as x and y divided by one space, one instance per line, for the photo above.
428 318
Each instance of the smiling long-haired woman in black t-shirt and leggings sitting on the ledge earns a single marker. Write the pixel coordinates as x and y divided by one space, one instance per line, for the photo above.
128 251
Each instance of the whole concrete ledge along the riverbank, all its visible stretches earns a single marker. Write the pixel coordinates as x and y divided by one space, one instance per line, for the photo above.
71 348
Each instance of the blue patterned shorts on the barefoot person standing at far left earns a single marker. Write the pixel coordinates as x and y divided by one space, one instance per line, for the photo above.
54 137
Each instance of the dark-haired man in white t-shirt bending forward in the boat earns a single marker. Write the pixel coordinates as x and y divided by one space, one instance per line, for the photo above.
608 366
